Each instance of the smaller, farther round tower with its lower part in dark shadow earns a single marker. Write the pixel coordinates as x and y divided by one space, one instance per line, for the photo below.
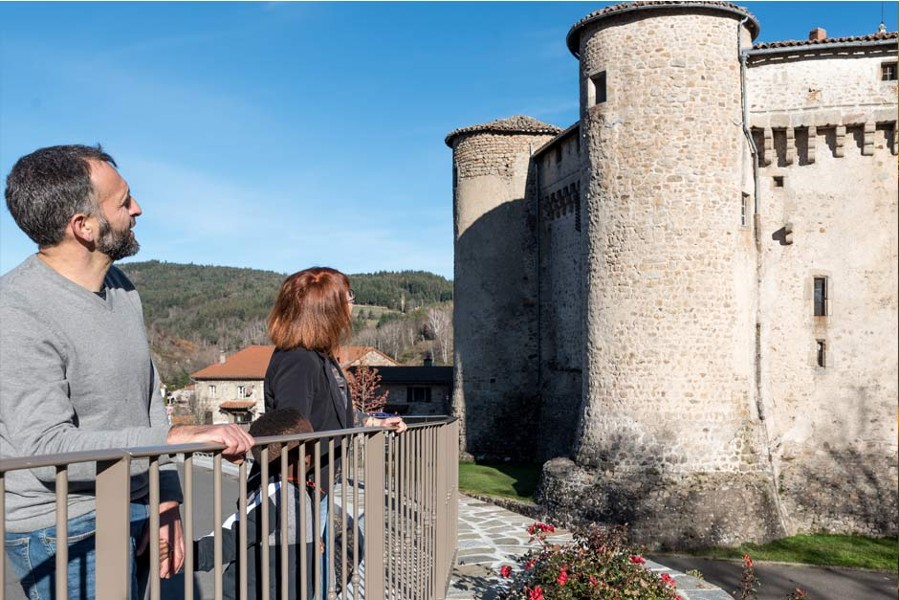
495 283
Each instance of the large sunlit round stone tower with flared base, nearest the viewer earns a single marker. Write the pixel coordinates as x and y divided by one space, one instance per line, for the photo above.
668 442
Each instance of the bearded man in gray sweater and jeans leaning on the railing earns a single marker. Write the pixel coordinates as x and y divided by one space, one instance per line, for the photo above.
75 366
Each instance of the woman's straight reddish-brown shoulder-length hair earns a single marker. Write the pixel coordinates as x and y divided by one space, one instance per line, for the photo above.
311 311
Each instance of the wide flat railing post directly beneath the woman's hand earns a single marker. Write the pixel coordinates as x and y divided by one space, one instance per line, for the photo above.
374 516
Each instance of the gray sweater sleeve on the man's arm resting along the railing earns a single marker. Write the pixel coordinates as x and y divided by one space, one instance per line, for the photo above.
38 416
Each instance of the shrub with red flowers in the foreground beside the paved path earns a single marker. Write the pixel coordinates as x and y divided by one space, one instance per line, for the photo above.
598 564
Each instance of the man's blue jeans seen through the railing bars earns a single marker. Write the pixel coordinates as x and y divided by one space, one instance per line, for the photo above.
33 557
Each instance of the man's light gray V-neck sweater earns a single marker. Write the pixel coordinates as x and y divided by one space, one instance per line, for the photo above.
75 375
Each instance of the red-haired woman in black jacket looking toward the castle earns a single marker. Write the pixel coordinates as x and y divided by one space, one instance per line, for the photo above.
312 315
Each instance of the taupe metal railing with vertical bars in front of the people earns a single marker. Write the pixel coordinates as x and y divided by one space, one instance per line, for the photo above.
389 531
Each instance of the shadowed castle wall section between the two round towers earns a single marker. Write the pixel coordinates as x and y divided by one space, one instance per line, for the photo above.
561 240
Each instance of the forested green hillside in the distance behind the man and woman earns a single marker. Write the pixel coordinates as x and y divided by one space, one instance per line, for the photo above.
194 311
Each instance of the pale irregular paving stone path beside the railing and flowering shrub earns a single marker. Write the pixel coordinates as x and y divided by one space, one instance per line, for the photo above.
491 536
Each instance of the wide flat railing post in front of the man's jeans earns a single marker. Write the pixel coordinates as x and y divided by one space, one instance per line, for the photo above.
113 554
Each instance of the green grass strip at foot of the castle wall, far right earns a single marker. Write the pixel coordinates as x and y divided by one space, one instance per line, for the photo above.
819 549
